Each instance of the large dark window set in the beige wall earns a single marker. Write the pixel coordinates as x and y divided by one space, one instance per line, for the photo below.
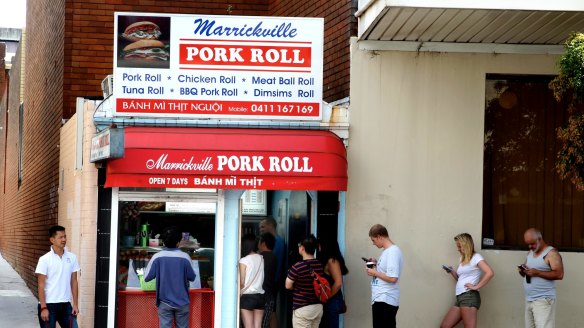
521 188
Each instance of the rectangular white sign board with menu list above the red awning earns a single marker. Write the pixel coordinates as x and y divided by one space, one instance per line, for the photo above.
236 67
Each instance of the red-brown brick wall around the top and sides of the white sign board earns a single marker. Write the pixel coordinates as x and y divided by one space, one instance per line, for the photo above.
88 42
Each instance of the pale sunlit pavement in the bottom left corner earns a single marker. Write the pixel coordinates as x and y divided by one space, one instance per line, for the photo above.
18 306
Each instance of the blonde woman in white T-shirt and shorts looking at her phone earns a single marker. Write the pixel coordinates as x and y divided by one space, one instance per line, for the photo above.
473 273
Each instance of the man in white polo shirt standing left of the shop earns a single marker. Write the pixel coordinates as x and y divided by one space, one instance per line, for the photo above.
57 282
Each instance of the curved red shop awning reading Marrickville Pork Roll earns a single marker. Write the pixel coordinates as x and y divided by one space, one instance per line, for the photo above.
157 157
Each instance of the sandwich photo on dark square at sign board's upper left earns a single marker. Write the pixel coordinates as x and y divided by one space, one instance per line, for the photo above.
143 42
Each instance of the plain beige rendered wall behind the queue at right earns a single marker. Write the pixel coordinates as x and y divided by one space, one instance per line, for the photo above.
416 165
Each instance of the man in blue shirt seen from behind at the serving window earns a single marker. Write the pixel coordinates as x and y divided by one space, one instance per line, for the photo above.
173 270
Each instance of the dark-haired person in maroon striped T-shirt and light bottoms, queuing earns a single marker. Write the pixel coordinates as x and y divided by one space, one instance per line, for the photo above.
306 308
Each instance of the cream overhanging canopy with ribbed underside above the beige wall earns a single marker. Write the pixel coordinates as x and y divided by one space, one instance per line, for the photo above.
497 26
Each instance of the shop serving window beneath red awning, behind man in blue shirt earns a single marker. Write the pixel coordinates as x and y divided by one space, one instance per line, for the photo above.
141 226
